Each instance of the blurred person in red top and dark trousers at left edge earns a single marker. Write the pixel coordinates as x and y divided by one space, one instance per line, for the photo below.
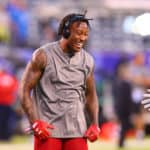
8 89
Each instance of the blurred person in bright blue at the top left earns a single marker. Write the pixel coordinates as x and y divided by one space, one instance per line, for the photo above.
20 22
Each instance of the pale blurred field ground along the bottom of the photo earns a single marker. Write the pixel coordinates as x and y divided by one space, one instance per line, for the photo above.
26 143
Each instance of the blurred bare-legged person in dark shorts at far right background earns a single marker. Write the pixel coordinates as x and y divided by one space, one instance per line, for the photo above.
140 79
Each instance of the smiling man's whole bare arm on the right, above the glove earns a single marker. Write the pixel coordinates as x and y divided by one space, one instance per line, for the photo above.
92 100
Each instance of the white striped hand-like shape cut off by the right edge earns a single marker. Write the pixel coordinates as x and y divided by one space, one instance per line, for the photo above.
146 100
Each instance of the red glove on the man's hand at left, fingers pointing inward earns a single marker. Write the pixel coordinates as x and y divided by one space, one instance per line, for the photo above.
40 129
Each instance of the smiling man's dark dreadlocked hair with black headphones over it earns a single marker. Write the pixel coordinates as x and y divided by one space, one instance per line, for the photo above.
68 20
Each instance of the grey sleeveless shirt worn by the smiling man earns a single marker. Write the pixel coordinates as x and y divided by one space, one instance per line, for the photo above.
59 96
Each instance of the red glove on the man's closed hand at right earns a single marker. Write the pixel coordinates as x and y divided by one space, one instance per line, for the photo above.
92 133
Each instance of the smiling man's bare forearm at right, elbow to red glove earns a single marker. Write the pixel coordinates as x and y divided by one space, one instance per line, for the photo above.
92 108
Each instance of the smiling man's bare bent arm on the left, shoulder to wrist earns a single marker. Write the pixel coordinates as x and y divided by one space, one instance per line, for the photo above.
30 78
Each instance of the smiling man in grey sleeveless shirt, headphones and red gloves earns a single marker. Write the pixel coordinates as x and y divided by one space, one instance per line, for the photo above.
57 90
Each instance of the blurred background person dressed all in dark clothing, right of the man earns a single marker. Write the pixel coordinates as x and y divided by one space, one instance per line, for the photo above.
121 91
